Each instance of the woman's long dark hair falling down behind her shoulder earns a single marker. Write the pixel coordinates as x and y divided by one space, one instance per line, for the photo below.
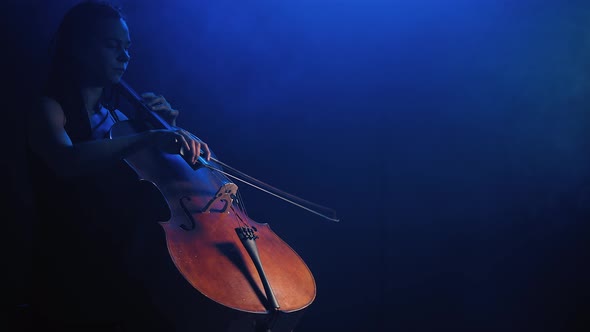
78 24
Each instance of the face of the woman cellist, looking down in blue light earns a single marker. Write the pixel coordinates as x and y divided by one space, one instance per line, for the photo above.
106 56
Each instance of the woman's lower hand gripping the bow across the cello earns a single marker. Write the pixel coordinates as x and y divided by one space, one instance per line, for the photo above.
179 141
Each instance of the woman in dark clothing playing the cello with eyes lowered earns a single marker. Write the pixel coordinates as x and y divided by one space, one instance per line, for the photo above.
86 230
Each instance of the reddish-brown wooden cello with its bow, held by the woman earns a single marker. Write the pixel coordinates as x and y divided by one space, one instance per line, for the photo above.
246 276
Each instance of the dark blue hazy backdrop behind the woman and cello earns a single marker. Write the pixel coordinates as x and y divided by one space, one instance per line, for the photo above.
451 138
